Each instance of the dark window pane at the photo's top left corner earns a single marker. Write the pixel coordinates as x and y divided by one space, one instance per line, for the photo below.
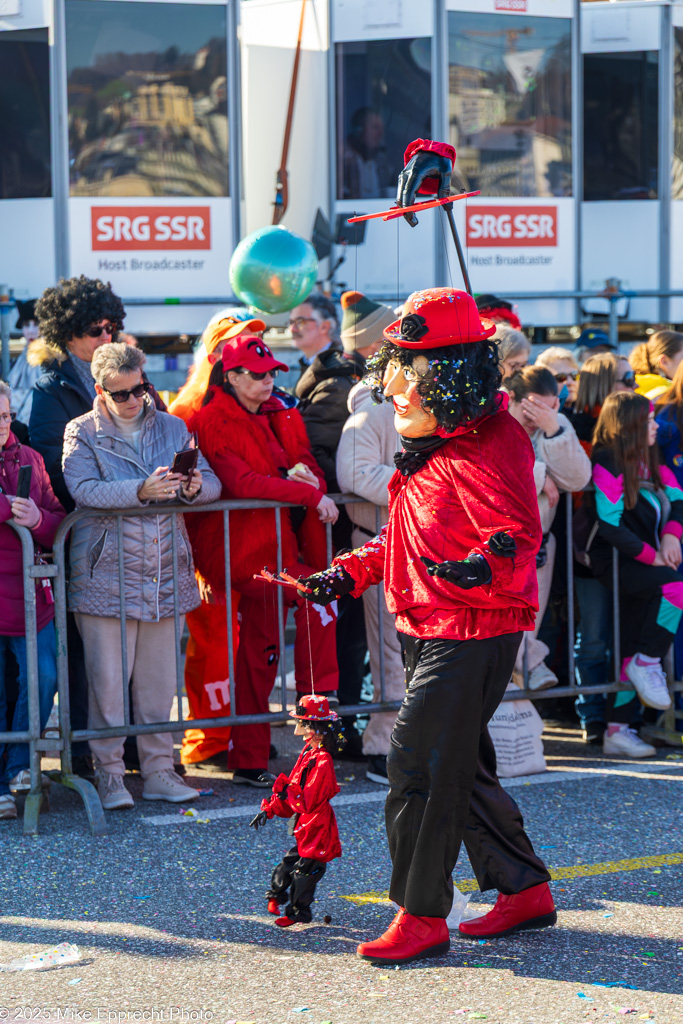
25 115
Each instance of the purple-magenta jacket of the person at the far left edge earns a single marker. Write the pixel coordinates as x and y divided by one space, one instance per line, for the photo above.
13 457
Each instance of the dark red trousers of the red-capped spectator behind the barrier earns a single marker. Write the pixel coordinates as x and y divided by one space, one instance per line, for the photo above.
259 655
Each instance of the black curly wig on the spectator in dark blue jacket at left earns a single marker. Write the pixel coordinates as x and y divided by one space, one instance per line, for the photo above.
68 310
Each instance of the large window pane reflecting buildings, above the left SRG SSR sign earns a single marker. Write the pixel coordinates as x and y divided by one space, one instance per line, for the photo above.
148 102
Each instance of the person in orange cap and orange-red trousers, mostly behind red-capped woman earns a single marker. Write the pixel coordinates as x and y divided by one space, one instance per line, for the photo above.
207 658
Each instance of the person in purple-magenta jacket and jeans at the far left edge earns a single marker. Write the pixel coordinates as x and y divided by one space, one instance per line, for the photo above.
41 514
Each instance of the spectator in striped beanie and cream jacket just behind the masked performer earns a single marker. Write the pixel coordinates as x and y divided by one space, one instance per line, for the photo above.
365 466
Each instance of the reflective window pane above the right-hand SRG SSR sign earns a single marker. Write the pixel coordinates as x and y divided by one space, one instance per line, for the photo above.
510 104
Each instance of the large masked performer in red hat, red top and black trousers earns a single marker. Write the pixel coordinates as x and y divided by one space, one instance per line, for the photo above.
458 561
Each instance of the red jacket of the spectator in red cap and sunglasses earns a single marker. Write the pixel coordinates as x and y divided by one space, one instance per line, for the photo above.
246 452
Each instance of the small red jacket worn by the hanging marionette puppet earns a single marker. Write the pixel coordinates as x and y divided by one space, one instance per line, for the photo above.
308 792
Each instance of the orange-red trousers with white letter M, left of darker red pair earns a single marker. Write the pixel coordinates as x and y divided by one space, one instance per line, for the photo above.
207 678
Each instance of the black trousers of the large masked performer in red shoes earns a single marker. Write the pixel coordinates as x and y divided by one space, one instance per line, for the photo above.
444 787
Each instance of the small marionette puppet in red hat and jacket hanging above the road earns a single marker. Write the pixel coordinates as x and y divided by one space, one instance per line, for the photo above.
305 796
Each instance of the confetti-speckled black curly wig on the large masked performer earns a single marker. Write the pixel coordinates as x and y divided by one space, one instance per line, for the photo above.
462 385
